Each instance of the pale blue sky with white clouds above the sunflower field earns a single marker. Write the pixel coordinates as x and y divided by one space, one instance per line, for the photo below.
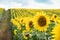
42 4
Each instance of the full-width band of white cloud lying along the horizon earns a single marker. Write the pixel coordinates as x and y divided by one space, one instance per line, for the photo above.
32 4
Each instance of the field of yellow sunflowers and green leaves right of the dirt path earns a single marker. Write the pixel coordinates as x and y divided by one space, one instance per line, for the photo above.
32 24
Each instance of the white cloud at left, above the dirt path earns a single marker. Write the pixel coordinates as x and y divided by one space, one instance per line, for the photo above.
11 5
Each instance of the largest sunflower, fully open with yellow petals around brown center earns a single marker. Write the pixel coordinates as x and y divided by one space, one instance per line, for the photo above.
41 21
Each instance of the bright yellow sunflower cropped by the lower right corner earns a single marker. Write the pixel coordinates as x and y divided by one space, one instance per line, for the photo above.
56 32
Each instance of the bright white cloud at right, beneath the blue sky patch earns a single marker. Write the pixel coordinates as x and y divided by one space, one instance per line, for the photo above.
33 4
